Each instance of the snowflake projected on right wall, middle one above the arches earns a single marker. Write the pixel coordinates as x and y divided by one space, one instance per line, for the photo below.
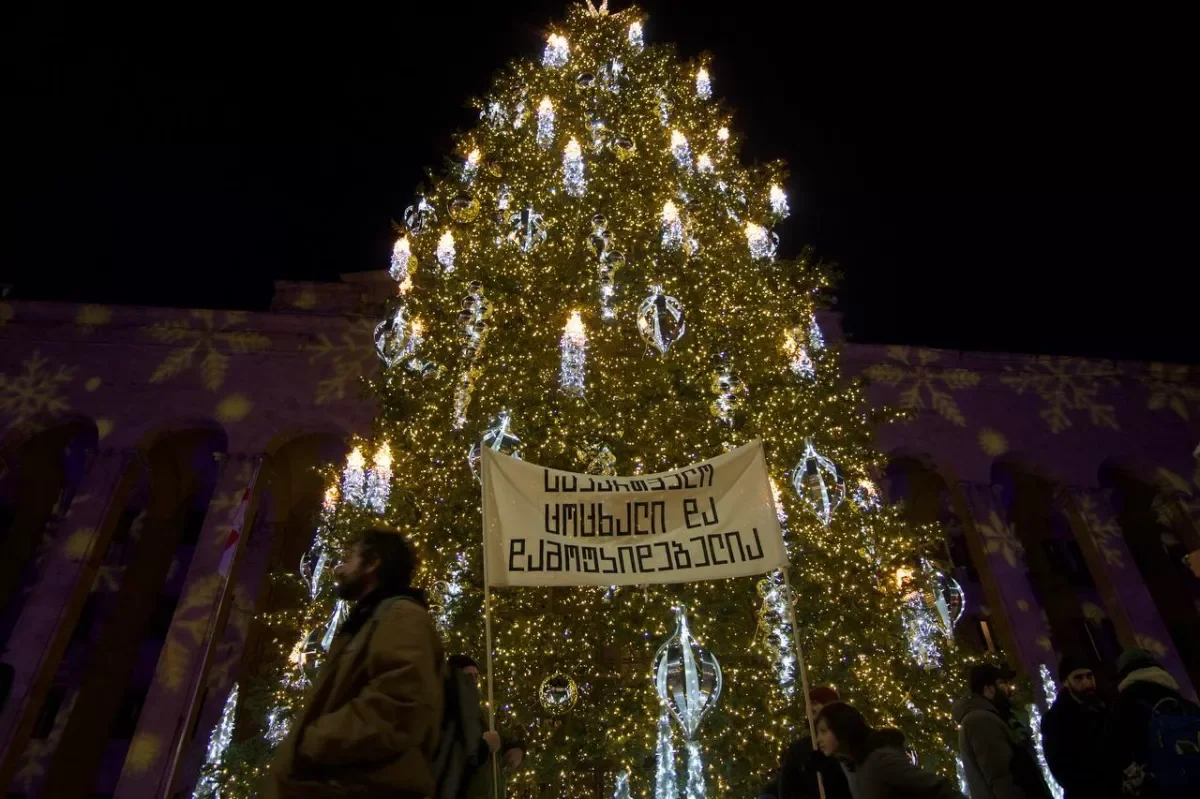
1066 386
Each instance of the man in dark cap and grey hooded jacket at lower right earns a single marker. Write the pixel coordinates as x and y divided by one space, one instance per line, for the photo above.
997 746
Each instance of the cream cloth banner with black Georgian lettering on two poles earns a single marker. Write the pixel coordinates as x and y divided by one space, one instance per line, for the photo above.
710 521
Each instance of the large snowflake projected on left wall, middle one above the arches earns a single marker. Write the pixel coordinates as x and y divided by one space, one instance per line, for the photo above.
205 344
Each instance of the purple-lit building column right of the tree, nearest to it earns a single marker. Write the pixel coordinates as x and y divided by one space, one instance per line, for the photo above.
1017 612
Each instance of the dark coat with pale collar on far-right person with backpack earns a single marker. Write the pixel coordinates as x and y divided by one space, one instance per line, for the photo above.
1129 741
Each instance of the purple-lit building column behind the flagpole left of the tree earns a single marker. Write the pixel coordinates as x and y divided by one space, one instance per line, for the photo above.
184 654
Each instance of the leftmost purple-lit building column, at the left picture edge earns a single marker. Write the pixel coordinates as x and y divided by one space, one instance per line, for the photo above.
53 608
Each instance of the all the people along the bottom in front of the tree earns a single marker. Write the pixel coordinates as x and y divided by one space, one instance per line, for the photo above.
391 716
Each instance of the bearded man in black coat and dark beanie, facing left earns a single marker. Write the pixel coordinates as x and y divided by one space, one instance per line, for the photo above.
1073 732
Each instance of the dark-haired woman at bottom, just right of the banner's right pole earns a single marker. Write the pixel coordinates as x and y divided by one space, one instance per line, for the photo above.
875 760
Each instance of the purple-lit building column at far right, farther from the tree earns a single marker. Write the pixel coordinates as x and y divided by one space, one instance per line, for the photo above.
1126 597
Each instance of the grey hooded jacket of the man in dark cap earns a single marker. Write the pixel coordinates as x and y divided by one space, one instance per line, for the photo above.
999 759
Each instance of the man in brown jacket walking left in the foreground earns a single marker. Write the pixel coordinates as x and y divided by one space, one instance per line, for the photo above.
373 723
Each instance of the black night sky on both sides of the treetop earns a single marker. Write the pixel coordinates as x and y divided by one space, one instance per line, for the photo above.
987 178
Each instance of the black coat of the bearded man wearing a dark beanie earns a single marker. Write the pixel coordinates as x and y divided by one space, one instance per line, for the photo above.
1073 742
